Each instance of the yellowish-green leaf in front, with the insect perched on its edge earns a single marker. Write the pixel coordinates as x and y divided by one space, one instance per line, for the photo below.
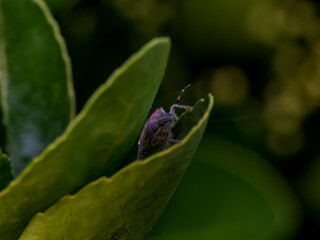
127 204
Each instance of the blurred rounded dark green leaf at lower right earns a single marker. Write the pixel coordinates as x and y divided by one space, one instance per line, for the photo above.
229 193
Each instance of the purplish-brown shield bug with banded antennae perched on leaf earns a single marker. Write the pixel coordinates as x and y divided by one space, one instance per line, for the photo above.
156 132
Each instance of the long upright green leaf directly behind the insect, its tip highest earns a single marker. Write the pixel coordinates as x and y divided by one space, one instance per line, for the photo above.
95 142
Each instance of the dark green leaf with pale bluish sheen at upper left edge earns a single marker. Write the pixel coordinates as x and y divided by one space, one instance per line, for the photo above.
36 84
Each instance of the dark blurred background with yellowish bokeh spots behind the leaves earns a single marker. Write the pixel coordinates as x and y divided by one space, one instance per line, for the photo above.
260 60
